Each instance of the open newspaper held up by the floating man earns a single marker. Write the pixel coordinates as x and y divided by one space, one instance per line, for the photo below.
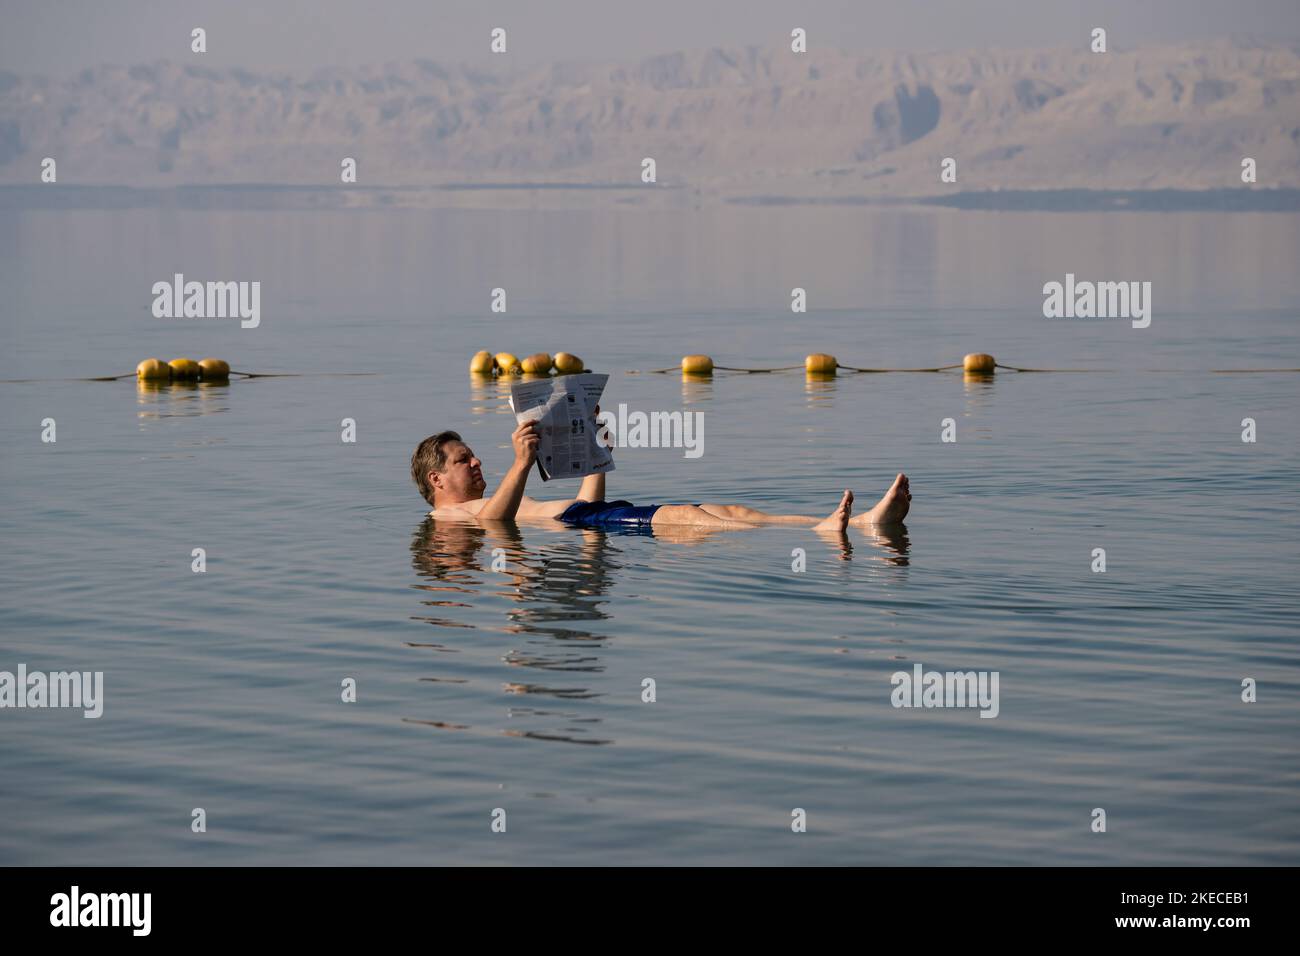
564 408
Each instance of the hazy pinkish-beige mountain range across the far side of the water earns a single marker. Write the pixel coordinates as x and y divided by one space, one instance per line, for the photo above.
721 124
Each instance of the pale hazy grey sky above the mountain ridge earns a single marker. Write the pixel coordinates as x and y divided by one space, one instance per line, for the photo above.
60 37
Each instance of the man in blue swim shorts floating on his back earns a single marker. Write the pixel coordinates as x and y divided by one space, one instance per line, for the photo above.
450 479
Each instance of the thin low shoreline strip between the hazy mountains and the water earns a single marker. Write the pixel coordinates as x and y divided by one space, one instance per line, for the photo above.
255 196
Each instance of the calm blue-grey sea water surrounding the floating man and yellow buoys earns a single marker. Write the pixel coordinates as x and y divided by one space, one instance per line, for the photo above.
522 690
